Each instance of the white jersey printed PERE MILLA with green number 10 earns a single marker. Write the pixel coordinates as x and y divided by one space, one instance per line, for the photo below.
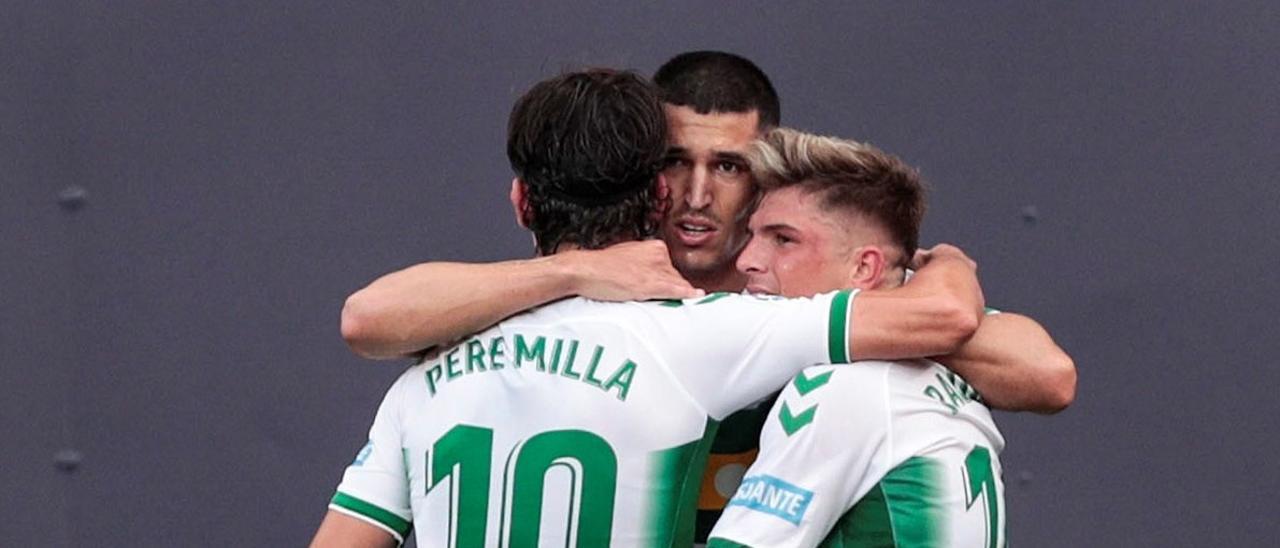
580 423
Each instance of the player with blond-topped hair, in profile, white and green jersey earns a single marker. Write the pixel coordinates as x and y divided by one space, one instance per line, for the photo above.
880 454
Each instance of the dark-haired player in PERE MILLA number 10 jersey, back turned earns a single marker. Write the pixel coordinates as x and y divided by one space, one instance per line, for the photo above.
582 423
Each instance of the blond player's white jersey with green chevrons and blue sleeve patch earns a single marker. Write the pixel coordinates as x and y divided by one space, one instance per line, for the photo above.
872 455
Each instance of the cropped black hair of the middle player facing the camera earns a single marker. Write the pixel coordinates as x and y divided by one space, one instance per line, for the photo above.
719 83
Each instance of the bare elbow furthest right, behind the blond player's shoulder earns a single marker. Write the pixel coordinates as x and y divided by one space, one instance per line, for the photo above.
1016 366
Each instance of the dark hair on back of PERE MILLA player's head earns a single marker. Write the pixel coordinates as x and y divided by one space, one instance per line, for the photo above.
589 147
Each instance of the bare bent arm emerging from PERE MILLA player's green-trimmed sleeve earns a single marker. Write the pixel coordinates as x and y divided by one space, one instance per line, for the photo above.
934 314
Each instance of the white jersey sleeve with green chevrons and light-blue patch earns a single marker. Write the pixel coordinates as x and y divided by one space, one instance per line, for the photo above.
825 446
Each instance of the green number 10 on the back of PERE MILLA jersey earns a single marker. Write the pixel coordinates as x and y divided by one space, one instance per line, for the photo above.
467 455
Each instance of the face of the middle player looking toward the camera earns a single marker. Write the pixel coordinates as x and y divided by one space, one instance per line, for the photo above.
711 189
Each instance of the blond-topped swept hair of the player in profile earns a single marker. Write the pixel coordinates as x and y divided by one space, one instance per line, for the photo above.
847 176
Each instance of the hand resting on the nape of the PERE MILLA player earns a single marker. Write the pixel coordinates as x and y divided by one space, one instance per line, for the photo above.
628 272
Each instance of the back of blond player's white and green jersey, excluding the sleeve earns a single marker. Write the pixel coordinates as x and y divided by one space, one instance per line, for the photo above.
944 481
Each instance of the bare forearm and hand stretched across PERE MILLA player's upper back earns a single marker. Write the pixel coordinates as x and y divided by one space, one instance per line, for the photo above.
436 303
